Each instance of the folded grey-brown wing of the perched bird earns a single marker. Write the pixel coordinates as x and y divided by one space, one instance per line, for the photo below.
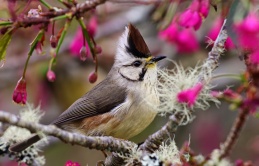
102 98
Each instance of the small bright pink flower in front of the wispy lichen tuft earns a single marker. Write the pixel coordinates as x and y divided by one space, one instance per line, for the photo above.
190 95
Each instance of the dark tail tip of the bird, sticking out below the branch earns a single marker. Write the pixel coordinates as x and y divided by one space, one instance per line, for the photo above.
20 146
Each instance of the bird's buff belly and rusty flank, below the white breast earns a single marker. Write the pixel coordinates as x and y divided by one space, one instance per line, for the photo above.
121 125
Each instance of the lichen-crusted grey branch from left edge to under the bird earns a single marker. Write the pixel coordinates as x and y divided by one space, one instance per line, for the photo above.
100 143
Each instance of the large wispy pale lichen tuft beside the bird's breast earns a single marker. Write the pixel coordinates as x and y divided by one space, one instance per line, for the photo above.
173 81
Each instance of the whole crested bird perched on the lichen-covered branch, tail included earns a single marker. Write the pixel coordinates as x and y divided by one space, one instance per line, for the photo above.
120 105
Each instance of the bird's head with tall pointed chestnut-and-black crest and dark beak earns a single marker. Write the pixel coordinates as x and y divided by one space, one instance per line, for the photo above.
133 60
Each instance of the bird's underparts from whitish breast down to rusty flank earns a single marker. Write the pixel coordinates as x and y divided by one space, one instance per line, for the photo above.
126 120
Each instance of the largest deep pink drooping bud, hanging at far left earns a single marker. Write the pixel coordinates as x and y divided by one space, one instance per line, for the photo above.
20 94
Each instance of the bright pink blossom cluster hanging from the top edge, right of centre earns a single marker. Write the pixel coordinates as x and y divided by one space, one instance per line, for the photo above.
194 15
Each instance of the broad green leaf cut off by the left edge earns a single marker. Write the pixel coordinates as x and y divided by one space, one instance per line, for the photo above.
4 42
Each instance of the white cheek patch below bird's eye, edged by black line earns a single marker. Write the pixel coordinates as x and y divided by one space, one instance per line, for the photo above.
131 73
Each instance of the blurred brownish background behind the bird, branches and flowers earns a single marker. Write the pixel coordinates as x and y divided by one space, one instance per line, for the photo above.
205 133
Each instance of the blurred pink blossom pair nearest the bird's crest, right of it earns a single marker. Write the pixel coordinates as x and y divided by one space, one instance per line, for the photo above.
184 39
